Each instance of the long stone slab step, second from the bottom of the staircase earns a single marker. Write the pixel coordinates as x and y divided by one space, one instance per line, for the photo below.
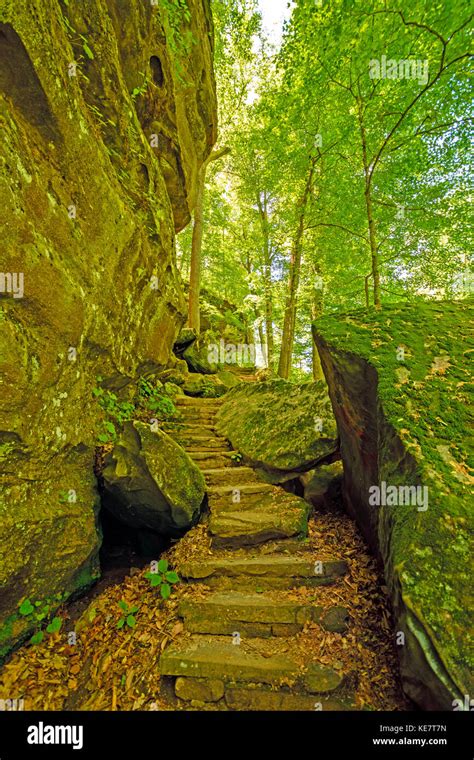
256 615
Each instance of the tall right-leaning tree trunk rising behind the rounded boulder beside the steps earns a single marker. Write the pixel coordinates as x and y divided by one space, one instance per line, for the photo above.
288 335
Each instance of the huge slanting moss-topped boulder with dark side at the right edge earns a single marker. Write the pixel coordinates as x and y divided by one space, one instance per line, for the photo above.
399 383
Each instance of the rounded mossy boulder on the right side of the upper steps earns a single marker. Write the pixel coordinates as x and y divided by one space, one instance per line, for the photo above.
280 427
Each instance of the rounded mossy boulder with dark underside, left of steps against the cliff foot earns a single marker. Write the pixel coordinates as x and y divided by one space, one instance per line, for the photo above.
149 482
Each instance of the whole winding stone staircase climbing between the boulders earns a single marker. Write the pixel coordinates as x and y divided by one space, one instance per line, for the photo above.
238 650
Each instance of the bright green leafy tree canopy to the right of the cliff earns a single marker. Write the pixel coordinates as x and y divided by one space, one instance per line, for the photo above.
311 101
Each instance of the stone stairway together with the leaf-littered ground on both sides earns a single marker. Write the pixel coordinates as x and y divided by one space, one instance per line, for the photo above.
278 609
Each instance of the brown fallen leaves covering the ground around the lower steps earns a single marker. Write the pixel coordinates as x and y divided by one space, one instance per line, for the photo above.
111 668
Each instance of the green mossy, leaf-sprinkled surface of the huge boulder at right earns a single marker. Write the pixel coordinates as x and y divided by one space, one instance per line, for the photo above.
422 353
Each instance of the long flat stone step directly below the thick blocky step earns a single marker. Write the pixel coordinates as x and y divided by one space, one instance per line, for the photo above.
267 571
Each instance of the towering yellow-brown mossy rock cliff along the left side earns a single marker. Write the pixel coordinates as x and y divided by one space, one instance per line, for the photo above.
107 110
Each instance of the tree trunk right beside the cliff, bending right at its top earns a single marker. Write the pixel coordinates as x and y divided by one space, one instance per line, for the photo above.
196 245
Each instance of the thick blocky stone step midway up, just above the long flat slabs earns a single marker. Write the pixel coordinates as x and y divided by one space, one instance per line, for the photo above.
251 515
